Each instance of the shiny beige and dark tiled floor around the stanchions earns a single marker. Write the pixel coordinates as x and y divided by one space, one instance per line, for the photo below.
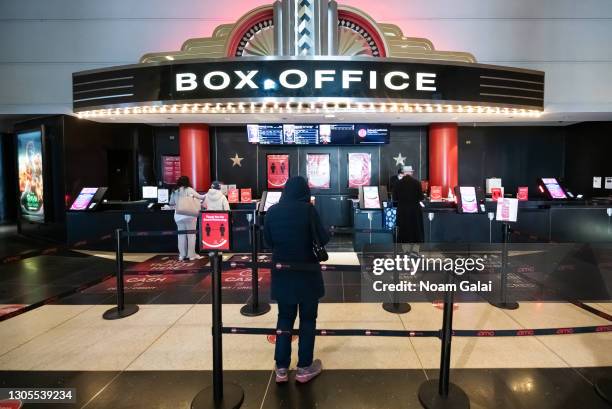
161 356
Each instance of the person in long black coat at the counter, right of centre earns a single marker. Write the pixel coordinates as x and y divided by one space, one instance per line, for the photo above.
408 193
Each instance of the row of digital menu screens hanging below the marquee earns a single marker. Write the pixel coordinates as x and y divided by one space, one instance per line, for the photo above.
317 134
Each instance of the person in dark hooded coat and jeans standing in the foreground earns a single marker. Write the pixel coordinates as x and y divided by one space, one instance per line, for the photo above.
287 230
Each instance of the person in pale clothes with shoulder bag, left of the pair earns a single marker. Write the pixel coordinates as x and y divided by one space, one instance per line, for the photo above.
186 242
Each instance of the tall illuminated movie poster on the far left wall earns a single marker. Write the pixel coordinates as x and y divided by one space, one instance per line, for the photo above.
30 168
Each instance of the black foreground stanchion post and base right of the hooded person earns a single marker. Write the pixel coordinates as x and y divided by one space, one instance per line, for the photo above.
441 393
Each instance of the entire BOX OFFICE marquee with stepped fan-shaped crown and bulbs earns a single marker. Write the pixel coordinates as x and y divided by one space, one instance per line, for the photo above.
307 56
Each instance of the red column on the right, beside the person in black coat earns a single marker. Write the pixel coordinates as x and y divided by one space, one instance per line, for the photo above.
443 163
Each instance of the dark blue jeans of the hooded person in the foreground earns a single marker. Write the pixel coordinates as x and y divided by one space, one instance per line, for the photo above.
287 314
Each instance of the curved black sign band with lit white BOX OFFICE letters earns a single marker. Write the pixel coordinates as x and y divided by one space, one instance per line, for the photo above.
282 79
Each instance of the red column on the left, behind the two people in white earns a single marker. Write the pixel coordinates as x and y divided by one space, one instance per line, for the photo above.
194 142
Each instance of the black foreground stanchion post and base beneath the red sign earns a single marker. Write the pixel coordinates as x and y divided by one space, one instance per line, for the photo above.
221 395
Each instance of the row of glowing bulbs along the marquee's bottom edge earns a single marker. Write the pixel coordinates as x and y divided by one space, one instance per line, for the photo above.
315 107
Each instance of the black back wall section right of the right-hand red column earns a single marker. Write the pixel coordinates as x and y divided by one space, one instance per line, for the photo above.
518 155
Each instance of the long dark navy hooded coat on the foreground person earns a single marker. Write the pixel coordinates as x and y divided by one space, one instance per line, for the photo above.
287 230
